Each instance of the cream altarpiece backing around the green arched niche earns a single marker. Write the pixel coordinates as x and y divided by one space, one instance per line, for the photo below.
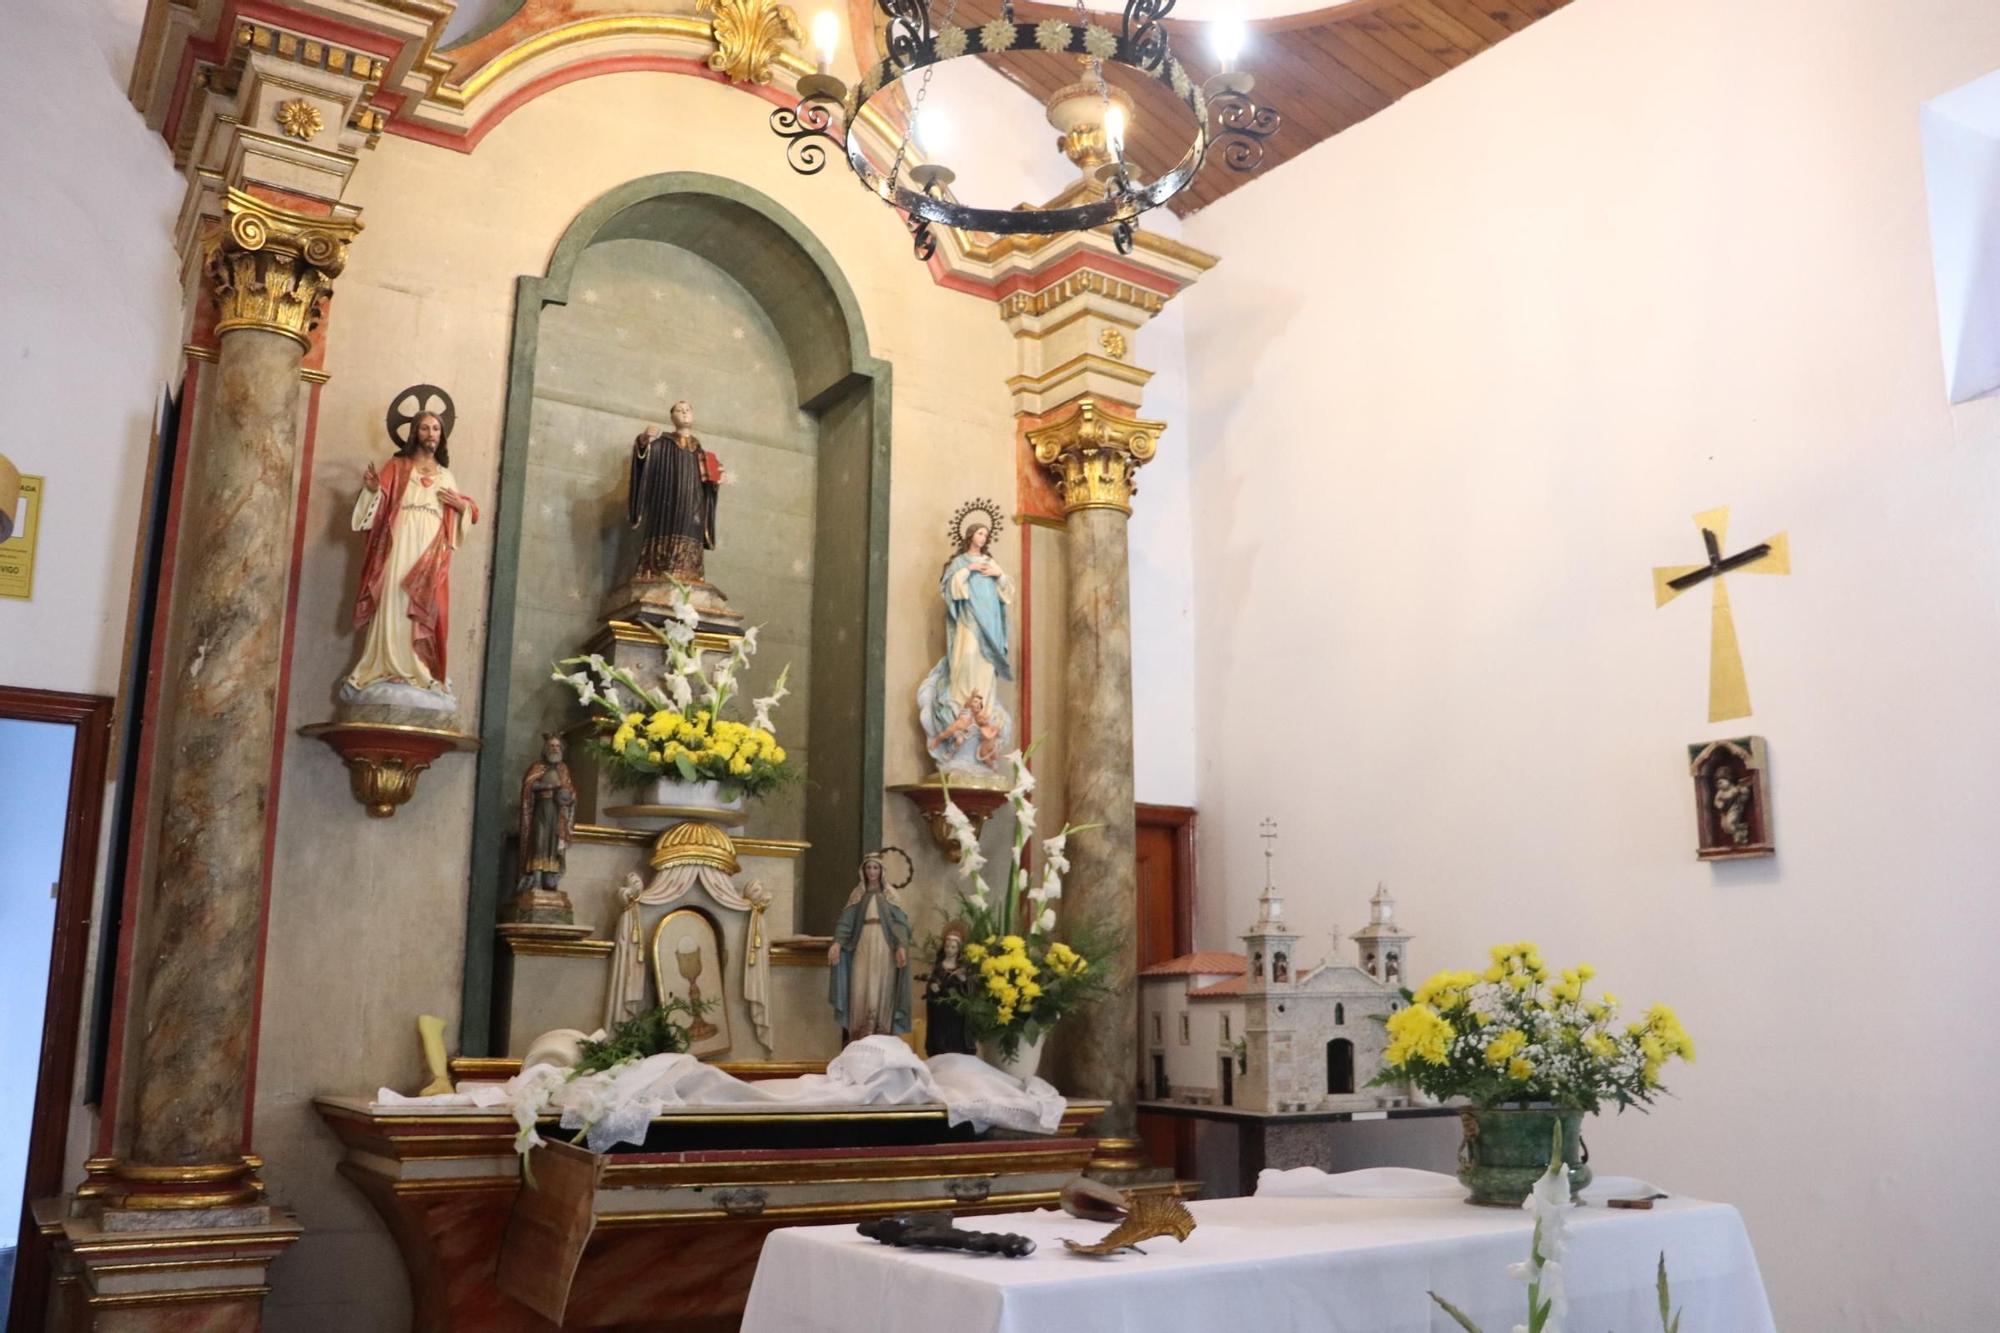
369 916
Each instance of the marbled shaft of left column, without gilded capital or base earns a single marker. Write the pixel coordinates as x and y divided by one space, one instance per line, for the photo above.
229 615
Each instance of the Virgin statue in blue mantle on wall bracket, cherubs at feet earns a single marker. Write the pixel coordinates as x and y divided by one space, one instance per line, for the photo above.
965 724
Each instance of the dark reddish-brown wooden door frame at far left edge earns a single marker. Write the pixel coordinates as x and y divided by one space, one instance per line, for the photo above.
91 716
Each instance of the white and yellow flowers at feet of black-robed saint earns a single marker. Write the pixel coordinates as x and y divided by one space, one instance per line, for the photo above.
677 732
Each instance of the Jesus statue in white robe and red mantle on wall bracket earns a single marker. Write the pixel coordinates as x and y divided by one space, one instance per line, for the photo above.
415 517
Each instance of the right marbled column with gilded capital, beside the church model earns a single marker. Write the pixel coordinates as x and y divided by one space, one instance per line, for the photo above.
1095 453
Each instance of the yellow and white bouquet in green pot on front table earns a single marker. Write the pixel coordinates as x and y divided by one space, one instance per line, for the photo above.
1513 1036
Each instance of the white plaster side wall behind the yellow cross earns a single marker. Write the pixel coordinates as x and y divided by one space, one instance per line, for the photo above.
1461 383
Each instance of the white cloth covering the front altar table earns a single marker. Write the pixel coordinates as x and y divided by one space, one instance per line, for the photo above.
1271 1266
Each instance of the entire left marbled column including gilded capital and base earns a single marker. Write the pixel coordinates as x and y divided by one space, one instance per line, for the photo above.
269 273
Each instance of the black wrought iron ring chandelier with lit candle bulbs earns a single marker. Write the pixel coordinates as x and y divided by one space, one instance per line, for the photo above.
829 113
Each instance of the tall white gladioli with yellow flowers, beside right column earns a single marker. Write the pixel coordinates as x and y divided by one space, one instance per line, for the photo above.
1027 978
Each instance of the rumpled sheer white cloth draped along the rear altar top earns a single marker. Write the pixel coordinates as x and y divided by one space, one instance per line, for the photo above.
875 1072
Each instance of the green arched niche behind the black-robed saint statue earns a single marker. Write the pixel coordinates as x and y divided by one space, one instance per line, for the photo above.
835 389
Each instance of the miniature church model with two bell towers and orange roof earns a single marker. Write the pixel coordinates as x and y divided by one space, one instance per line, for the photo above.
1259 1032
